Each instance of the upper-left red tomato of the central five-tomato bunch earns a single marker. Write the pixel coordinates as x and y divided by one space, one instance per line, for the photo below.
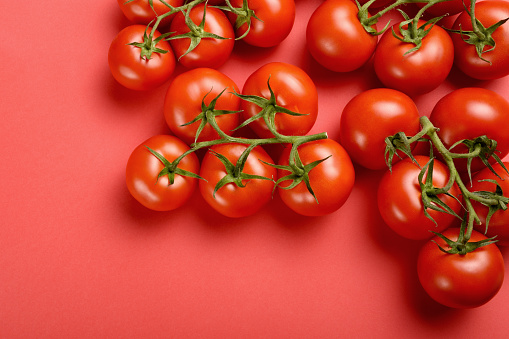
183 103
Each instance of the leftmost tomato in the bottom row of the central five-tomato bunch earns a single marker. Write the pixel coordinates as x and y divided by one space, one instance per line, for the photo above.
143 168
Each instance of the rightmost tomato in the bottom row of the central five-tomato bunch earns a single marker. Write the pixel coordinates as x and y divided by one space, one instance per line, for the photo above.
332 180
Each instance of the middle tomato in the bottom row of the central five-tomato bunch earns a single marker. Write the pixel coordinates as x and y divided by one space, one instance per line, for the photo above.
231 200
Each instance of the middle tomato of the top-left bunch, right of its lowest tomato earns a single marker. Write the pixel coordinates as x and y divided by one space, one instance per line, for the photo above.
210 52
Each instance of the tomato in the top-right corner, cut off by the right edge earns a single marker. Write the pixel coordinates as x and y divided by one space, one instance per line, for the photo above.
466 58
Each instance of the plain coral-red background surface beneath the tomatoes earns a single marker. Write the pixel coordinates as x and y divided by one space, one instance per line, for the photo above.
79 258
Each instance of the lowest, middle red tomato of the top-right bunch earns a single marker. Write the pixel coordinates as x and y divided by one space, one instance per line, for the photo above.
418 72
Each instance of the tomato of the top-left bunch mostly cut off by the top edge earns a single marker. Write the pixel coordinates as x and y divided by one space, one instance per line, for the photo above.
140 12
